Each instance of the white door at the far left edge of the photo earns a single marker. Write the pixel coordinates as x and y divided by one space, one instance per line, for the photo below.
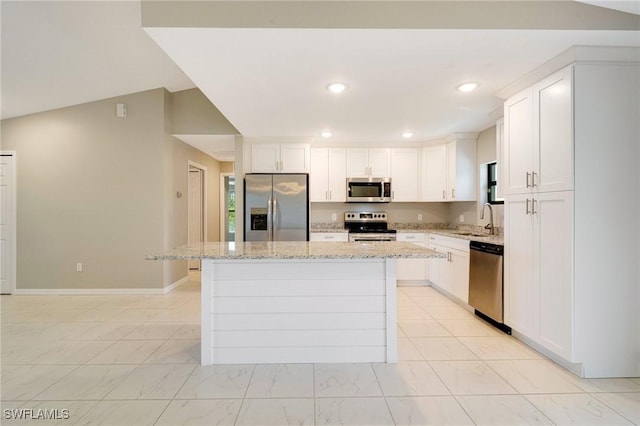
7 223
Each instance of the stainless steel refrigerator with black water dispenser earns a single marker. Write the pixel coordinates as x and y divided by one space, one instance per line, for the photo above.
276 207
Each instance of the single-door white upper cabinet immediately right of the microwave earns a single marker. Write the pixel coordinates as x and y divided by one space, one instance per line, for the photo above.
404 174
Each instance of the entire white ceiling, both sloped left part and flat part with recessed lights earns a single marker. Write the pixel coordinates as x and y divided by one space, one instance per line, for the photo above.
271 82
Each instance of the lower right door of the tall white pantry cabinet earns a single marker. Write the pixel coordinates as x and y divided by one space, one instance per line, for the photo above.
553 253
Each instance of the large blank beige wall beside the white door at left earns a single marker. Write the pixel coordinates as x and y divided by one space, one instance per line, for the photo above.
90 190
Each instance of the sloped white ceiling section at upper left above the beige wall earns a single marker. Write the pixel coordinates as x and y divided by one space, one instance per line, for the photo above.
56 54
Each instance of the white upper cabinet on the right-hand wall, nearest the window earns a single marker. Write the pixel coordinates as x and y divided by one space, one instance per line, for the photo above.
449 170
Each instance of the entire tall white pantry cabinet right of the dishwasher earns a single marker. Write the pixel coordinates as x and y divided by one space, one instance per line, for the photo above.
572 217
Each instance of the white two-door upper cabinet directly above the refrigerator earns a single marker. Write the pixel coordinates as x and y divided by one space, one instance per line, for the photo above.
280 158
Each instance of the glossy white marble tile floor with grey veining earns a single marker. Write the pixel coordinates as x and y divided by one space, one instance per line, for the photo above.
134 360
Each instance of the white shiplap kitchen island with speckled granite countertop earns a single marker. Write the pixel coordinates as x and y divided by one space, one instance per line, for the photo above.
298 302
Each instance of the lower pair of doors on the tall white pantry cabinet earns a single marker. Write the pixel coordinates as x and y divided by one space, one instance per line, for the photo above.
538 268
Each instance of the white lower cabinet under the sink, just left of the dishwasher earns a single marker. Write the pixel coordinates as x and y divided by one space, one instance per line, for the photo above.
450 274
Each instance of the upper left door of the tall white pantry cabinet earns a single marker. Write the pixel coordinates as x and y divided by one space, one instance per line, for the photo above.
518 143
